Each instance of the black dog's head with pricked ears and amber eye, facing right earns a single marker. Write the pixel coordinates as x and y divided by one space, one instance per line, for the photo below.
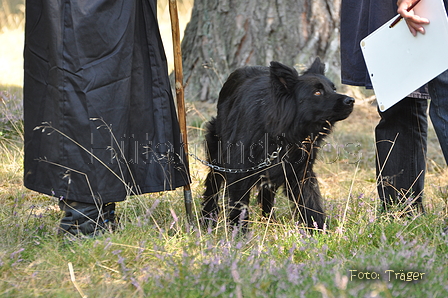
306 102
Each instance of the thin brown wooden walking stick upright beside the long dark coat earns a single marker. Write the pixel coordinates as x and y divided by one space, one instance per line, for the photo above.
180 98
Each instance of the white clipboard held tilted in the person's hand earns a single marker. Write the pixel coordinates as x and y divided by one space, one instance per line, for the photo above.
398 62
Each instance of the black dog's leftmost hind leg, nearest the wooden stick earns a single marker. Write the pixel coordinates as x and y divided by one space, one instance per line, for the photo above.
210 204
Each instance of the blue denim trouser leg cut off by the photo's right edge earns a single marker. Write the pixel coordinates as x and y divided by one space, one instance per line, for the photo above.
438 110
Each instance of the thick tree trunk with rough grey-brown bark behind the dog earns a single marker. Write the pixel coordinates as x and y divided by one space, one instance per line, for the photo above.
226 34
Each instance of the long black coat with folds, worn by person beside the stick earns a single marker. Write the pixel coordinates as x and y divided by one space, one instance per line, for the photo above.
100 120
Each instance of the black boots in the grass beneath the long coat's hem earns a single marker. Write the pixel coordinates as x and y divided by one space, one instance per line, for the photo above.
86 219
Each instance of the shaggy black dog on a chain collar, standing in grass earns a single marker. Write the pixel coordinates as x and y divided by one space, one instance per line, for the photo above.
266 134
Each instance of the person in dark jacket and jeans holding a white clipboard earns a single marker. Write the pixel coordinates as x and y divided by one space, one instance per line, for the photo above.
401 134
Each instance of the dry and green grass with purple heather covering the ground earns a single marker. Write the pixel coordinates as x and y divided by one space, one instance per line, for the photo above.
155 253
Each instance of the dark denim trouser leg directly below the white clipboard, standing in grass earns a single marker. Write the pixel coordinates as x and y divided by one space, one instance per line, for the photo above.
401 142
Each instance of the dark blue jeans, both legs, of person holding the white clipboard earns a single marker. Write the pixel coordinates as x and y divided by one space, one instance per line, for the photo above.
401 144
